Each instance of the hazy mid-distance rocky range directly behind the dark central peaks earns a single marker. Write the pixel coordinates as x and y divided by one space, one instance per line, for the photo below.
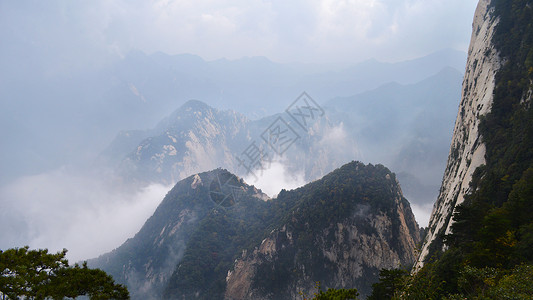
405 126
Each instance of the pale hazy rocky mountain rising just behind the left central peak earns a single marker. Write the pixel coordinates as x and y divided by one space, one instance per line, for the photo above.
194 138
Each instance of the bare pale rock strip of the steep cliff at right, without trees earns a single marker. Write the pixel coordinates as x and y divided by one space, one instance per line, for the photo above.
467 151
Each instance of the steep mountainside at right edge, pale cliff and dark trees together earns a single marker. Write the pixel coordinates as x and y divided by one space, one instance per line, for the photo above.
480 237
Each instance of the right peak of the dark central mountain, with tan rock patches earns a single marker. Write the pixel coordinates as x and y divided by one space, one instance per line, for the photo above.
369 227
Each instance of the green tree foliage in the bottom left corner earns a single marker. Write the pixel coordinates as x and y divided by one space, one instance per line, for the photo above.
37 274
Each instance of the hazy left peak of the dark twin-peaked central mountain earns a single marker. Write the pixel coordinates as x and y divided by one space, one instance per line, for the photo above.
146 262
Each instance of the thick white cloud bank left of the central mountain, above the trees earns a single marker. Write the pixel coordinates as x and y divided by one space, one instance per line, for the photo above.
85 215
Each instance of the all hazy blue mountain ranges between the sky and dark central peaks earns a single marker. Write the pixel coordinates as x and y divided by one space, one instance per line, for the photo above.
86 109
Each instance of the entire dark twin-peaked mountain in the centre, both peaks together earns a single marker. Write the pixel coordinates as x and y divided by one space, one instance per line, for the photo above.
214 237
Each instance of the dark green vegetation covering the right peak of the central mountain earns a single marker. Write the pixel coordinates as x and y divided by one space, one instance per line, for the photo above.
308 213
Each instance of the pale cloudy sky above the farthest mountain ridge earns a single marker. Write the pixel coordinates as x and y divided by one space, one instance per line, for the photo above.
284 31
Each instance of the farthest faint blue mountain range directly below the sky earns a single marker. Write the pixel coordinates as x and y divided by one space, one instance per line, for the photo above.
86 108
